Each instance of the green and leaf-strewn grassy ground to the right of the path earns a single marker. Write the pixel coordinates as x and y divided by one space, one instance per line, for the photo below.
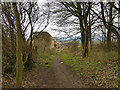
99 65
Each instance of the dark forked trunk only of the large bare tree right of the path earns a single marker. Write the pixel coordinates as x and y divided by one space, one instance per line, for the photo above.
84 28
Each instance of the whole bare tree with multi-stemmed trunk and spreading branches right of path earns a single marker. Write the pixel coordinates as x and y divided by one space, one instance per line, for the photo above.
81 11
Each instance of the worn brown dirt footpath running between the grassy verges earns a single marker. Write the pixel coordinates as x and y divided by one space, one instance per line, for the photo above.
64 76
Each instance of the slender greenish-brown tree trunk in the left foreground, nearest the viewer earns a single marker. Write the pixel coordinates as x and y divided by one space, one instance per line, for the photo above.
19 51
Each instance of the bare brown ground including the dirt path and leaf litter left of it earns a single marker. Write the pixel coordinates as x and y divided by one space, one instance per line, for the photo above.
58 75
